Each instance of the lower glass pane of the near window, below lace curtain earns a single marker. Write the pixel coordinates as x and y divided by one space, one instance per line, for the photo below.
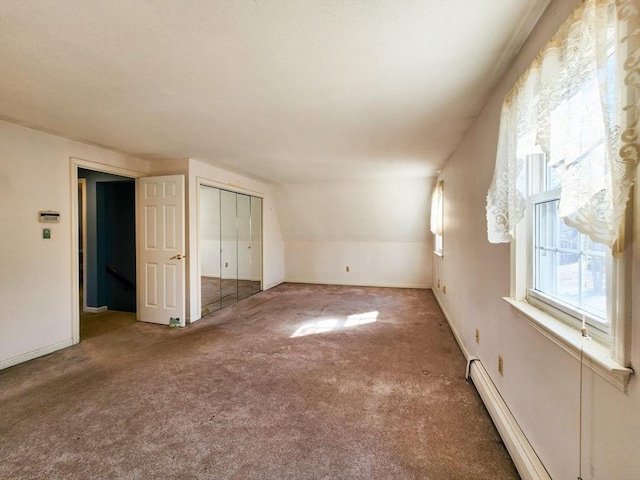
569 267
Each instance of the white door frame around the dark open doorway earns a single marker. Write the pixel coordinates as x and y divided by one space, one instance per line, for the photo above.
76 163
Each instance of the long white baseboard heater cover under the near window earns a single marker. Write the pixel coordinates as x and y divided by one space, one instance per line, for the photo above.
524 457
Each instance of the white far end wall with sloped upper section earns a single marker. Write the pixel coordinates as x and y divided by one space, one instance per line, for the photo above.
379 229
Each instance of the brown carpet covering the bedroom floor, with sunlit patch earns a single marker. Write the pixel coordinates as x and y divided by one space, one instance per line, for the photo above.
298 382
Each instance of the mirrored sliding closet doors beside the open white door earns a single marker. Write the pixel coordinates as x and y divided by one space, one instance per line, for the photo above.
230 247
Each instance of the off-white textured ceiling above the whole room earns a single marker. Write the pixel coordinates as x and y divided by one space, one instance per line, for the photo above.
285 91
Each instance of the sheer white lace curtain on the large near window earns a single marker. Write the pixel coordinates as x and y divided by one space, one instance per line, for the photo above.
579 103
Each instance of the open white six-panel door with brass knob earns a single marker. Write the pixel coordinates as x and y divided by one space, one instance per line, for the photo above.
161 251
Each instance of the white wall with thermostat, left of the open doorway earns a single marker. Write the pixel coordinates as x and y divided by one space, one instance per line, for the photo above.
35 274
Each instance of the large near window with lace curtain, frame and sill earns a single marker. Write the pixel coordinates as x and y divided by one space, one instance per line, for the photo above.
566 162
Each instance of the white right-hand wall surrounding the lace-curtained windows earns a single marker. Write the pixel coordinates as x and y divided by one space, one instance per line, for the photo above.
541 381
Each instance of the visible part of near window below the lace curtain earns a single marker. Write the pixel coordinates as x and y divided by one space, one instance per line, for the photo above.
569 271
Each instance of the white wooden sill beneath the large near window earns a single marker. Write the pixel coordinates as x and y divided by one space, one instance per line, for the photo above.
595 356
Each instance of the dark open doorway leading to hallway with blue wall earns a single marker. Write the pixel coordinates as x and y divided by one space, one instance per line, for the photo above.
106 252
